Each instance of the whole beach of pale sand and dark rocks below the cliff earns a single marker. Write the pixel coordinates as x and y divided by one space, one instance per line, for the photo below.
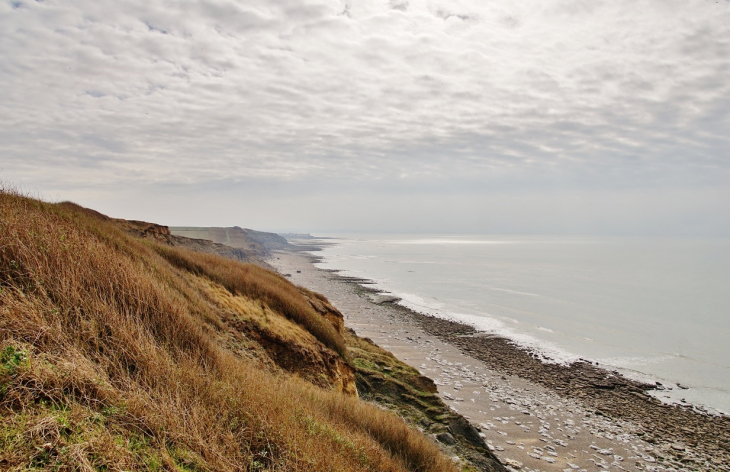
534 415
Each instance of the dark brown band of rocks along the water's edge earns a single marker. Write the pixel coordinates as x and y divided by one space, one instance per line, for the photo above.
686 437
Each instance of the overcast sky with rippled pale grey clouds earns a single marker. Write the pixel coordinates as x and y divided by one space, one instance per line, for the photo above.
459 116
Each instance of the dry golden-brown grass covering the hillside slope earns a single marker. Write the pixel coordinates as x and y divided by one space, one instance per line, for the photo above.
109 361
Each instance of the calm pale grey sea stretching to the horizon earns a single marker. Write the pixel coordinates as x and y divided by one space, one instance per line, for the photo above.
655 309
